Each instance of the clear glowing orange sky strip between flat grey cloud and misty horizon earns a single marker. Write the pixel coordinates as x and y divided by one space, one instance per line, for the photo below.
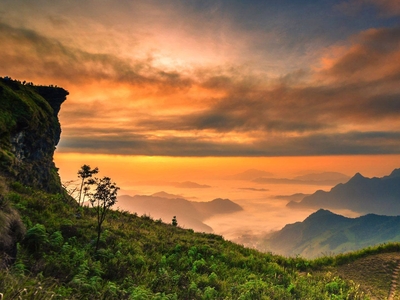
131 170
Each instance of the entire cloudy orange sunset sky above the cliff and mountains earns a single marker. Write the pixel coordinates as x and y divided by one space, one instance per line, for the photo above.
168 88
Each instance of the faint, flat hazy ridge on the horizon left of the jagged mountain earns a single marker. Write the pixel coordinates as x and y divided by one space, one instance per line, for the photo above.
325 178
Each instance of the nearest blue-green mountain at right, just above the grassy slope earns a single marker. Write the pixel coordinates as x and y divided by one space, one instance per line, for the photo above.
324 232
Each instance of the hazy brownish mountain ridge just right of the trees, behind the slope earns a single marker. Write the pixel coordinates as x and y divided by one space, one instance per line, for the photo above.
189 214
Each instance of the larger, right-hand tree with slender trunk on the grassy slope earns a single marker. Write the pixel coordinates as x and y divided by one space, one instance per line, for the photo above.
104 196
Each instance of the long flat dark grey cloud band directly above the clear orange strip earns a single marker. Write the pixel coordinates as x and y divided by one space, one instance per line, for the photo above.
317 144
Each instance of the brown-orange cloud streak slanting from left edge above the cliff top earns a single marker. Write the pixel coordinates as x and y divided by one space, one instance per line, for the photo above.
48 58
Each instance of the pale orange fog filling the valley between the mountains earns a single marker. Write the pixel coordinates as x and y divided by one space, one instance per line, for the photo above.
264 205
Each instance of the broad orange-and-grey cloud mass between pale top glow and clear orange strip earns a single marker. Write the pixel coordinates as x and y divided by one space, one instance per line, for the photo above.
349 106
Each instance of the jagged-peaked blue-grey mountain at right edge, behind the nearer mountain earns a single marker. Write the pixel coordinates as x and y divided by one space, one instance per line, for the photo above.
359 194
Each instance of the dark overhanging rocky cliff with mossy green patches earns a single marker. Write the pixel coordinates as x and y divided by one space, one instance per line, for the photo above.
29 133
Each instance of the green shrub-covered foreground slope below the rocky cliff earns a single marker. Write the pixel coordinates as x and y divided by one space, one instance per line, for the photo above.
144 259
